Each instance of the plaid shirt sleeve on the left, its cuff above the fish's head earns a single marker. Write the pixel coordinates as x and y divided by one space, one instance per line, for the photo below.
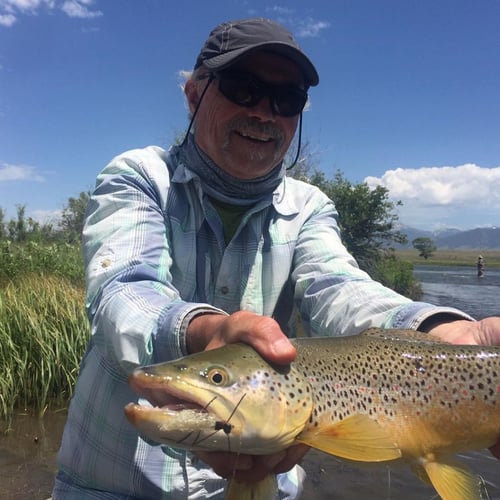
137 315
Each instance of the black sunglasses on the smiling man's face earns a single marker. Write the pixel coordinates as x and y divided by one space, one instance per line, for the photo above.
246 90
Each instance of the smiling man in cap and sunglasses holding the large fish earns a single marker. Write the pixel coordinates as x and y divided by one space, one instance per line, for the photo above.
209 244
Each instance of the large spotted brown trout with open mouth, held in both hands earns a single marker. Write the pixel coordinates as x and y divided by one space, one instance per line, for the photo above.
377 396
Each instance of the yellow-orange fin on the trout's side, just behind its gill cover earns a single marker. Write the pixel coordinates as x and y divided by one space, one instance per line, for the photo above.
355 438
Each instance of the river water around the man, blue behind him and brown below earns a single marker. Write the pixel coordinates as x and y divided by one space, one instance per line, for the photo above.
27 455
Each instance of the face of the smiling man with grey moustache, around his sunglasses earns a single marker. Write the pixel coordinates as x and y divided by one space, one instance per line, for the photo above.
246 142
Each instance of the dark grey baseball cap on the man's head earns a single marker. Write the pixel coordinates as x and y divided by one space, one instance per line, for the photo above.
231 41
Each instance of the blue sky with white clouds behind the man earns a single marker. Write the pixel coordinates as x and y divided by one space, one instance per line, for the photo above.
409 95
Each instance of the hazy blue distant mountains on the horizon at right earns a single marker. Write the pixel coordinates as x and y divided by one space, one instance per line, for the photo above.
478 238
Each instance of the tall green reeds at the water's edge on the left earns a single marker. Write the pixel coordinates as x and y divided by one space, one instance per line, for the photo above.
43 335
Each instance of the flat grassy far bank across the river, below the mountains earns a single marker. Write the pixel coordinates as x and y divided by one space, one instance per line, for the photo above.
447 257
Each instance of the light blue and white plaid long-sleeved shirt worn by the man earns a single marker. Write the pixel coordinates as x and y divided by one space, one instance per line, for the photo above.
155 256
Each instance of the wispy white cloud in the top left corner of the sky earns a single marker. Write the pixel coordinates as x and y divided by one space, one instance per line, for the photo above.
10 10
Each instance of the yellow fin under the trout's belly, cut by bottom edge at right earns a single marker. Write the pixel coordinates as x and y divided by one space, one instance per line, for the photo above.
453 480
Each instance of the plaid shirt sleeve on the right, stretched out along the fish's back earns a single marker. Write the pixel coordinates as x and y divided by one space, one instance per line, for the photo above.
335 297
